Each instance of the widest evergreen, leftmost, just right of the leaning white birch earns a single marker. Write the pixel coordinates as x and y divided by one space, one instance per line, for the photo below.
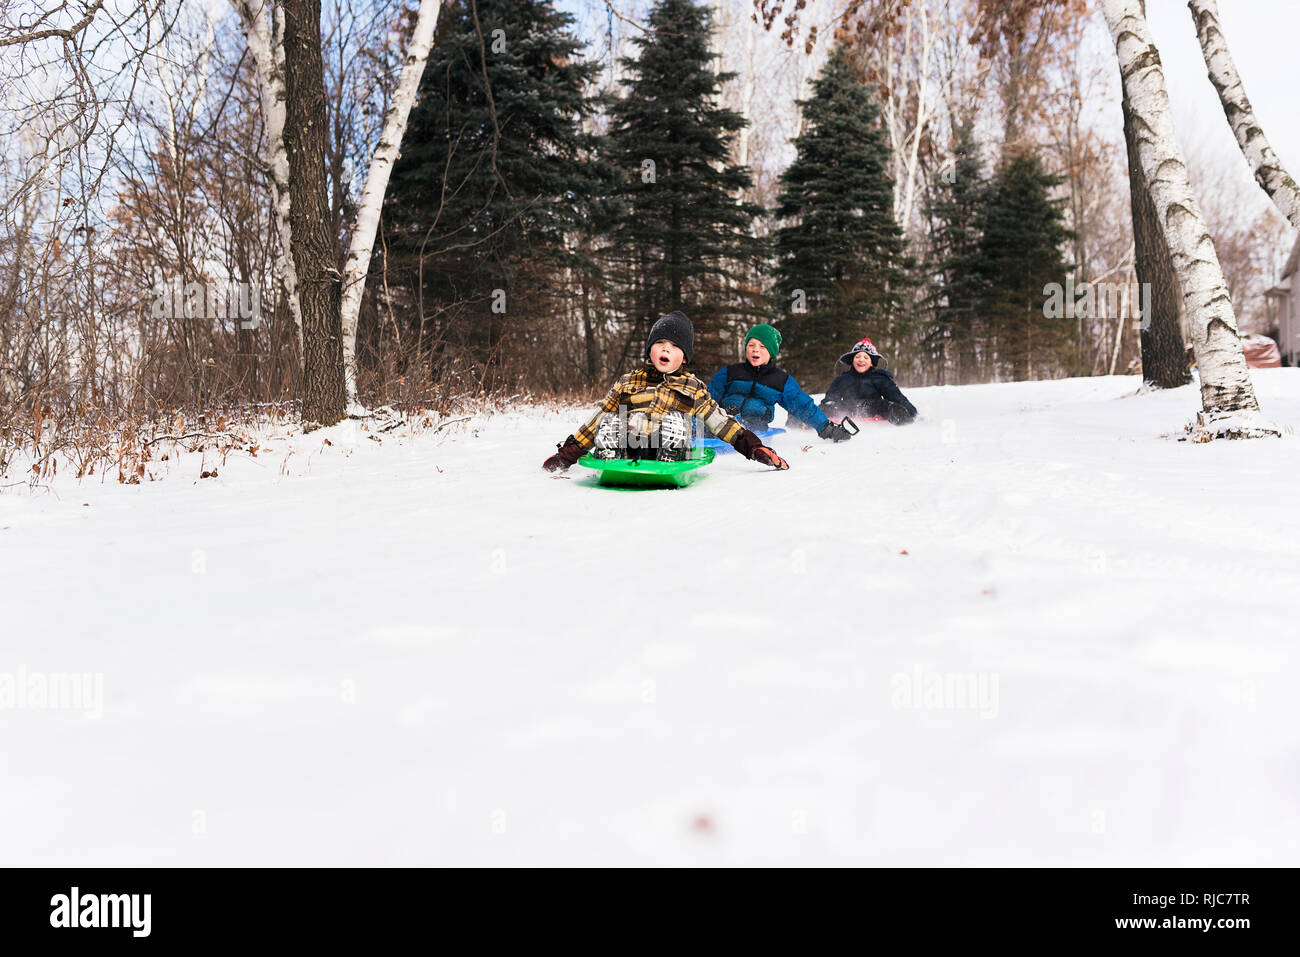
496 175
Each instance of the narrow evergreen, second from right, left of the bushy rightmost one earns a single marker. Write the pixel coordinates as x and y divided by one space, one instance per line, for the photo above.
955 327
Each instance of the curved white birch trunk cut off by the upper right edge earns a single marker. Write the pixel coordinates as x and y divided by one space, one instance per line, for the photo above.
1237 107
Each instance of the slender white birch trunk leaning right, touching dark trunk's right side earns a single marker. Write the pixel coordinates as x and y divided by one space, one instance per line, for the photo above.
358 263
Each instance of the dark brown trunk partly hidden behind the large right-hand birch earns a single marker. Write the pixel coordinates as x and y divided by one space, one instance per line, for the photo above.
1164 354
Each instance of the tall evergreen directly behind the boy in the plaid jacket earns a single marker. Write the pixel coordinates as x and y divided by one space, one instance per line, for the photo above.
683 232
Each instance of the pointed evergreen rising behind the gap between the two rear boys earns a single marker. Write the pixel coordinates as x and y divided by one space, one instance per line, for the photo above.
842 258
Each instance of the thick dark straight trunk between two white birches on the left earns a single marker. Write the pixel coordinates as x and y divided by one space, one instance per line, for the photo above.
324 395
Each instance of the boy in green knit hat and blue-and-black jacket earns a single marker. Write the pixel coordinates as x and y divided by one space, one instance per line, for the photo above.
751 391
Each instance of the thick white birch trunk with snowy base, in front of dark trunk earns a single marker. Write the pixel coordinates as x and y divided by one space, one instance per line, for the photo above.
1228 396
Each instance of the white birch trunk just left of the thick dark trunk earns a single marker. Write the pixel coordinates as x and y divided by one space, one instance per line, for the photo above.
267 46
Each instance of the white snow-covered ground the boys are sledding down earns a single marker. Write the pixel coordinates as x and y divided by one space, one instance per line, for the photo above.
1033 629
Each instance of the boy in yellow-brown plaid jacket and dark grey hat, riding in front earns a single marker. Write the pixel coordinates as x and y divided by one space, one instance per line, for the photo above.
648 412
